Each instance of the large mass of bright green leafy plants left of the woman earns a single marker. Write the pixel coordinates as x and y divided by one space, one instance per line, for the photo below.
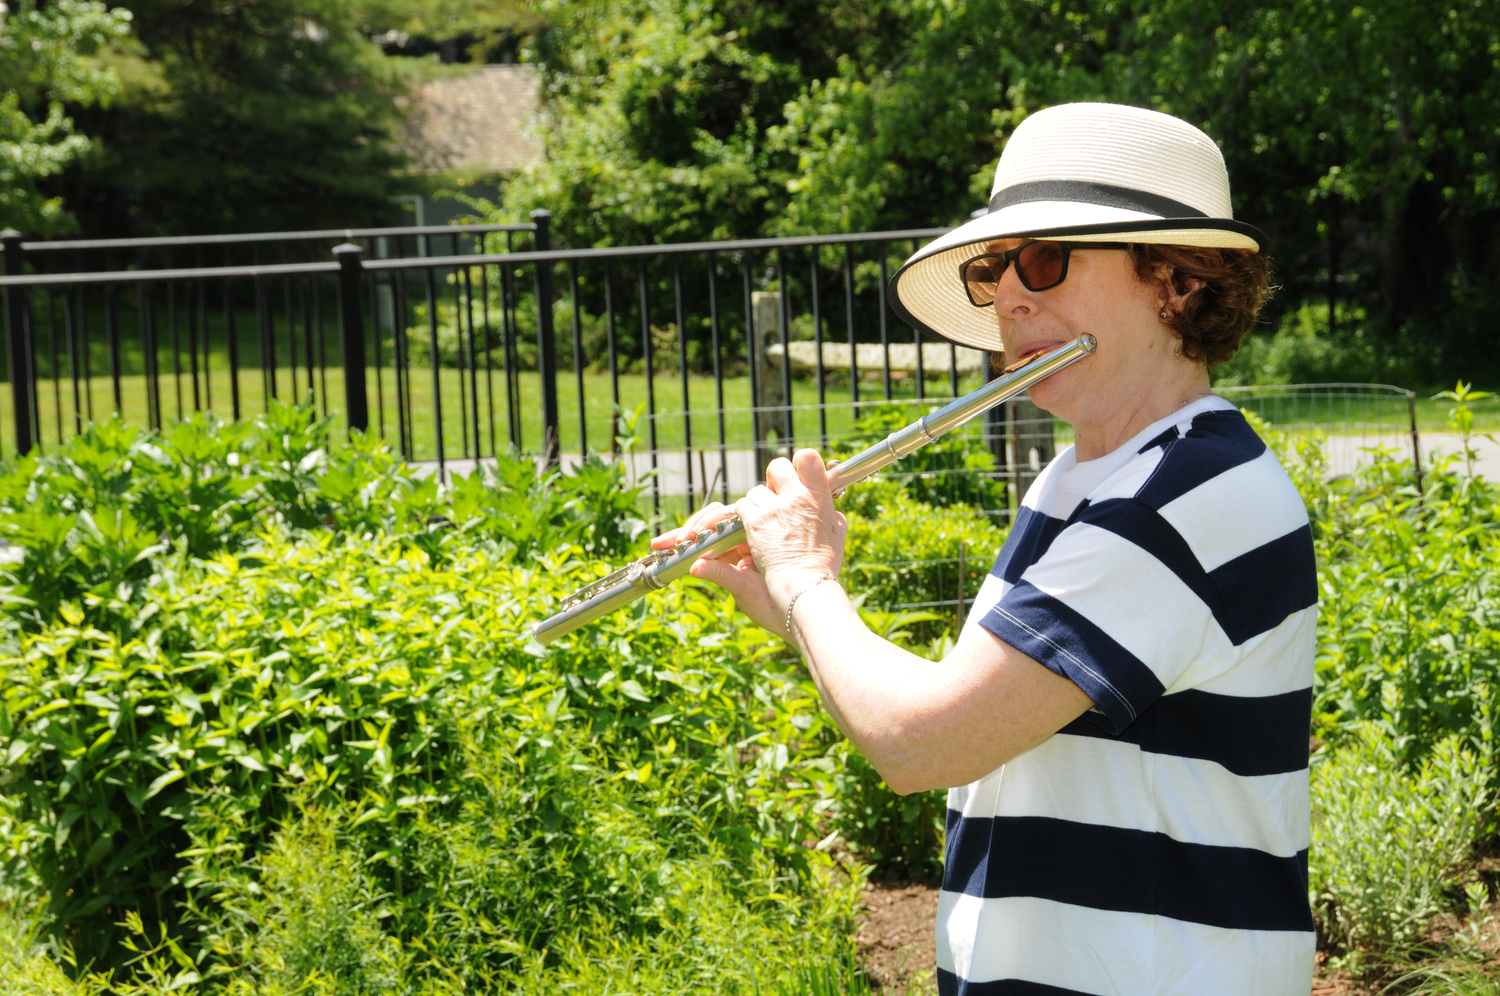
323 664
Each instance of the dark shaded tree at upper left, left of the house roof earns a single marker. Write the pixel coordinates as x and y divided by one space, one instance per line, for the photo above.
260 115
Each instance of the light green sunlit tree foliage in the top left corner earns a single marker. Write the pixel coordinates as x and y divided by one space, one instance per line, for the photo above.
49 58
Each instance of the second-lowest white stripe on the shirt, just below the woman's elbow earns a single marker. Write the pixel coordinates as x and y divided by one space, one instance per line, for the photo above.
1112 784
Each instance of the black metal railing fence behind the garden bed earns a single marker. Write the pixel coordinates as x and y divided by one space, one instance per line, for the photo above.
710 356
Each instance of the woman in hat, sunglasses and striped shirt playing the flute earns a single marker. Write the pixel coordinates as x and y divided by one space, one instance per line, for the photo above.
1123 724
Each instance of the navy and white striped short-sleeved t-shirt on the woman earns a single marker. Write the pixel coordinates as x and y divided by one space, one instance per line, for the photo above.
1157 844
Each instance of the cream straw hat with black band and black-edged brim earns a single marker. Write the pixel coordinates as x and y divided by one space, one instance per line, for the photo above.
1078 173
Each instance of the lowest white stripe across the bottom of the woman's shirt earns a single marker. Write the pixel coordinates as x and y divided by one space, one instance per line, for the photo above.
1117 955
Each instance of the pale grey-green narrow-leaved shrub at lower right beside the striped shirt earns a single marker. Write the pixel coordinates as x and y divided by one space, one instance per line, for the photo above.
1388 841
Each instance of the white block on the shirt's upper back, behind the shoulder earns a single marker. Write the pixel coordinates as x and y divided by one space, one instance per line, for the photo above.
1258 499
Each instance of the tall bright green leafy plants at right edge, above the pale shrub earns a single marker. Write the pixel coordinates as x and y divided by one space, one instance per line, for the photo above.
1411 607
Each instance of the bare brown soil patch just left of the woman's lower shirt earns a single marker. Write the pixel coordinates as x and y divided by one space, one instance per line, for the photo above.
896 937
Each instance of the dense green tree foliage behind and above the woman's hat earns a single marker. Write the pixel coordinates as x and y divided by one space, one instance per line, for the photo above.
1364 139
